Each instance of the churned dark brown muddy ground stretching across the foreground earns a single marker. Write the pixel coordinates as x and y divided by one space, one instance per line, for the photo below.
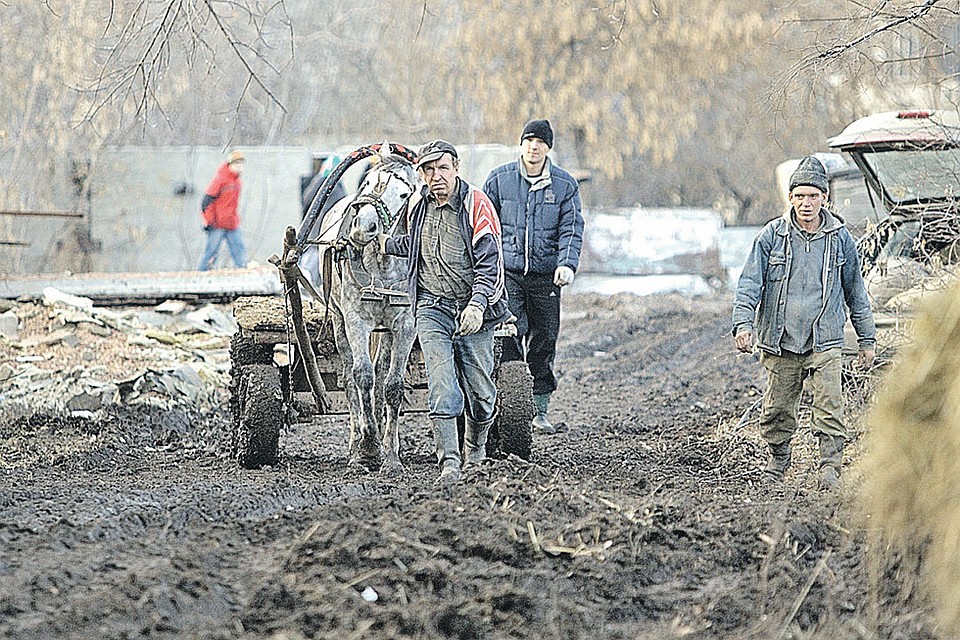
642 516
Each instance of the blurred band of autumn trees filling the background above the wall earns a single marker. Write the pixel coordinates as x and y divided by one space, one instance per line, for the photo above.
667 103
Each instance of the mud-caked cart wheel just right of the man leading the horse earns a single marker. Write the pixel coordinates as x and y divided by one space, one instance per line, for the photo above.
511 432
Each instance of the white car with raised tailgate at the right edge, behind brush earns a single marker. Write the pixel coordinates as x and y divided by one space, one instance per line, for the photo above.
911 163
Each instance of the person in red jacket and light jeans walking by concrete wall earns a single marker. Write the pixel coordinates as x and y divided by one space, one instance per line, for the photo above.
221 221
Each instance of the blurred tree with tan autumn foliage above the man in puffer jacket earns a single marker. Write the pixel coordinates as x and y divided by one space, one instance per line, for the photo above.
625 78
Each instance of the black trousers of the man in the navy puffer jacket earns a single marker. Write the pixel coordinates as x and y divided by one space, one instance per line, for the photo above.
535 301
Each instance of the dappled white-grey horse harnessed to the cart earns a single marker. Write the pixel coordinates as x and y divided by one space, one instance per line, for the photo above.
367 294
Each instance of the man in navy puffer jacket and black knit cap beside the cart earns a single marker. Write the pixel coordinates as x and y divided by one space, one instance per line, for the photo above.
539 207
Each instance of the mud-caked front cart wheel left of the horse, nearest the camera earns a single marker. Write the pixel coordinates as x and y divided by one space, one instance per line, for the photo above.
257 415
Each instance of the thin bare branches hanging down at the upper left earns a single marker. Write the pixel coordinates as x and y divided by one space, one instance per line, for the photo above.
153 55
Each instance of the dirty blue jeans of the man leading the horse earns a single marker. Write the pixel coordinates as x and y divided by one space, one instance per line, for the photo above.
458 367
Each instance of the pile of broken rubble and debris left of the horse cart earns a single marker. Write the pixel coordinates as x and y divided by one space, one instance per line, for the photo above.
64 355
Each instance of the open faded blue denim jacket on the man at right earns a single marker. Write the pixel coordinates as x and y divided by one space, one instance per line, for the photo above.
761 292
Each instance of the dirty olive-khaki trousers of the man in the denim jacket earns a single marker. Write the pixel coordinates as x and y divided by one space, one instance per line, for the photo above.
781 401
